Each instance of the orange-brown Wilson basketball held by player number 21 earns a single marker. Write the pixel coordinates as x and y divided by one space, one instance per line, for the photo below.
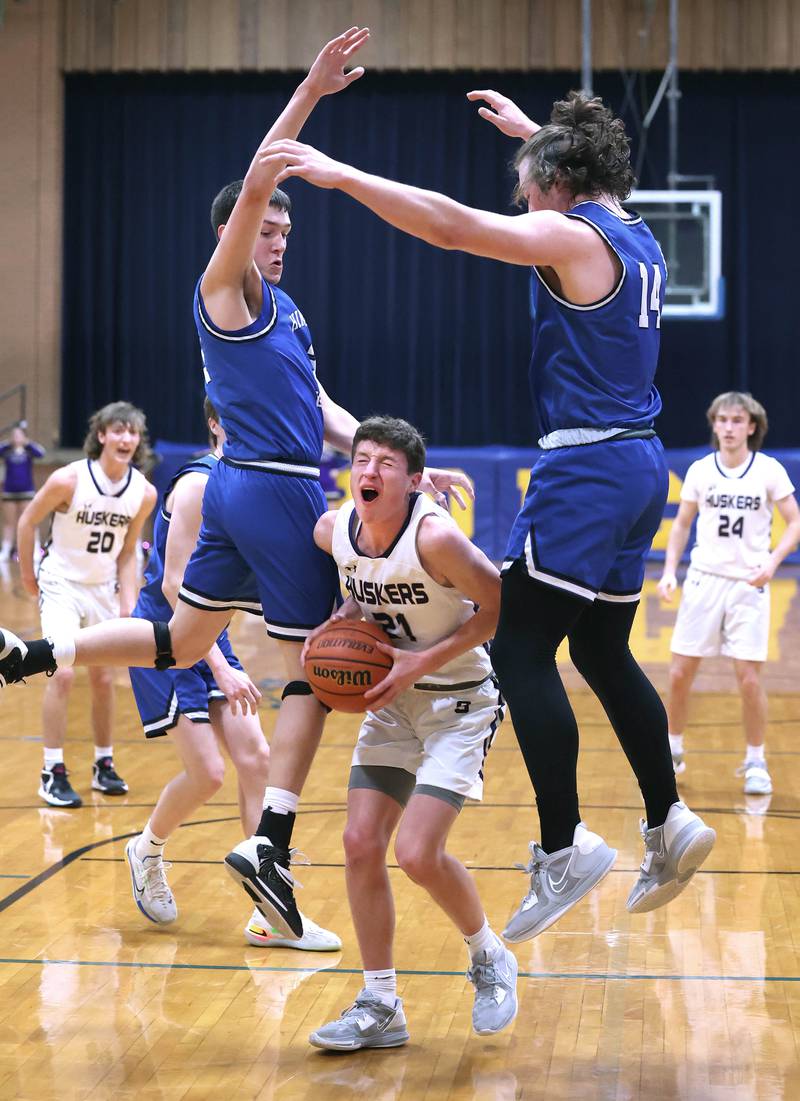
344 662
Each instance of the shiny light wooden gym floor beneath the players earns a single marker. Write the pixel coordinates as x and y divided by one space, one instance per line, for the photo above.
699 1000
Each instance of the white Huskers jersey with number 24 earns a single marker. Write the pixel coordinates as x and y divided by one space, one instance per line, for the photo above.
736 513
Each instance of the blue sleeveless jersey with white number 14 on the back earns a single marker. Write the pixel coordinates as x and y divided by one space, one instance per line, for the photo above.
594 367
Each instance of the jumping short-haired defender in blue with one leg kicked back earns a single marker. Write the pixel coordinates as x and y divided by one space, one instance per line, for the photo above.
256 550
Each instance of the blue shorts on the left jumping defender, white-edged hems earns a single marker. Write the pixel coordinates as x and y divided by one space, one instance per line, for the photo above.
257 552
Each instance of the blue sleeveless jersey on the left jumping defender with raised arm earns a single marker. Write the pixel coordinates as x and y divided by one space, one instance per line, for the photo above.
262 381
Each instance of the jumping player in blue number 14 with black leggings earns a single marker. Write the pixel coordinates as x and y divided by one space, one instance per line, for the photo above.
576 557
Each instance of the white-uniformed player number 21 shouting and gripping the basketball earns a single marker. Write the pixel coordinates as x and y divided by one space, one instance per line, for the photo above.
431 722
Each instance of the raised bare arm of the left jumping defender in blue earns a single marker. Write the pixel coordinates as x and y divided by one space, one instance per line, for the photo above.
234 258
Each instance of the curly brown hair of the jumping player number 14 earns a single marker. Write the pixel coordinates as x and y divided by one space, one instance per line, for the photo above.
584 148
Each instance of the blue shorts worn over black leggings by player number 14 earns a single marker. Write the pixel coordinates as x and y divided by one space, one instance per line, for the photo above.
590 516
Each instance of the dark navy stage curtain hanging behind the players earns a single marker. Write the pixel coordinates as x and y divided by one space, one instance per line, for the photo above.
439 337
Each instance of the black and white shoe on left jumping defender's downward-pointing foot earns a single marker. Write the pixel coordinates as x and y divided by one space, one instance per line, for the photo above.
264 871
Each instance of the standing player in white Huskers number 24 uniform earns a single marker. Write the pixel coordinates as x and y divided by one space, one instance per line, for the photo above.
726 604
